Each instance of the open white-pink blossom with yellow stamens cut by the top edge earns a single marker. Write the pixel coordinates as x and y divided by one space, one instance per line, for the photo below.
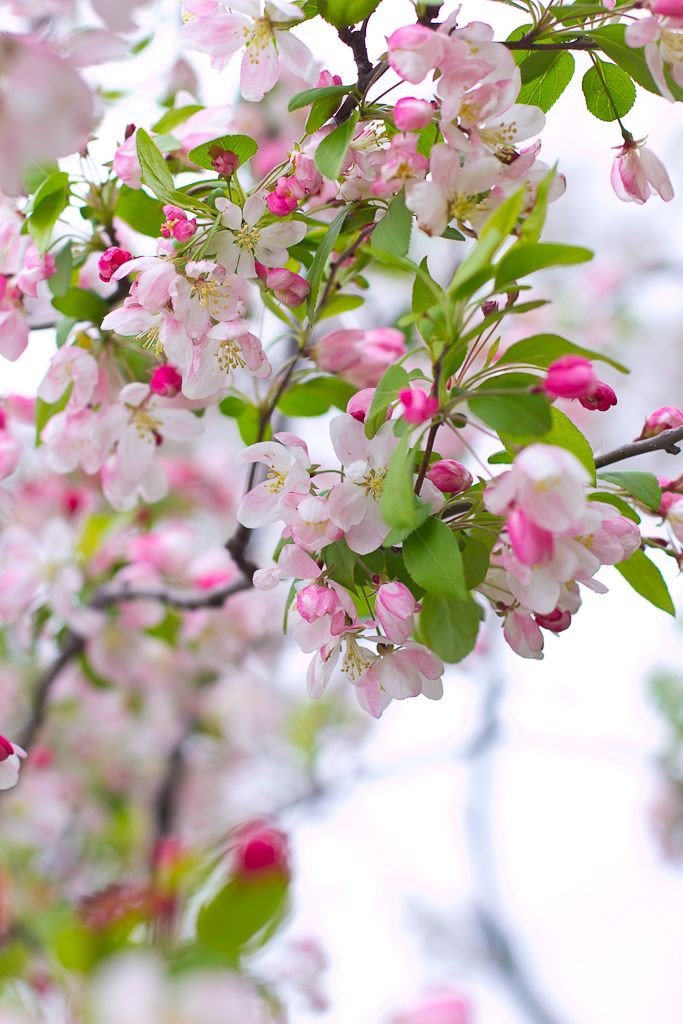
266 37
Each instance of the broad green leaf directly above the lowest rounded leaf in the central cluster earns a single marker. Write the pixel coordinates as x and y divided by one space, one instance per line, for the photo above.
434 559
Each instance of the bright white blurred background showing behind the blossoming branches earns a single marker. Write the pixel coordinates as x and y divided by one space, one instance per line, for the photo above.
522 841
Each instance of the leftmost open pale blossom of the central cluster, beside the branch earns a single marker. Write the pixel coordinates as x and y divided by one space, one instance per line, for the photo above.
287 472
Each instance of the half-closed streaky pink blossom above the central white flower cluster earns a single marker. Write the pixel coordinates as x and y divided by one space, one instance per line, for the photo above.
360 357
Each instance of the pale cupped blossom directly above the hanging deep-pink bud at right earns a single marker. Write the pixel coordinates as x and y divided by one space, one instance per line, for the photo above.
547 483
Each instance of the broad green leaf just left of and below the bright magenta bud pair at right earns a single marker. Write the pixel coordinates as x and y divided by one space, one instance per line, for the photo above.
526 413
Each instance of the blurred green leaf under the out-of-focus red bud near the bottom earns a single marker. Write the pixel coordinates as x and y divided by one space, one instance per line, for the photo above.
243 915
